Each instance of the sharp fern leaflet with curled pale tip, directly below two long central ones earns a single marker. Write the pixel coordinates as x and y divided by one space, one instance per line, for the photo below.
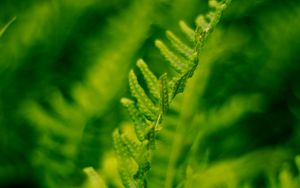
140 125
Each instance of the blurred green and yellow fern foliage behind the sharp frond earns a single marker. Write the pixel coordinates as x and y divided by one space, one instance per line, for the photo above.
64 67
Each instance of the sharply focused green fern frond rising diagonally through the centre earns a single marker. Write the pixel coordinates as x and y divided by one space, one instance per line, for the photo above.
148 114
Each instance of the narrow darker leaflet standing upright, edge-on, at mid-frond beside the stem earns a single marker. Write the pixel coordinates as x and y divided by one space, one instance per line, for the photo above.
164 93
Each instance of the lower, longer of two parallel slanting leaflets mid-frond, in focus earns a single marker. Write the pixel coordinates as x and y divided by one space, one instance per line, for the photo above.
144 103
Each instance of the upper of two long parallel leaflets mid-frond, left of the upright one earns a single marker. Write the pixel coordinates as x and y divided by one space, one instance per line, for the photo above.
150 78
